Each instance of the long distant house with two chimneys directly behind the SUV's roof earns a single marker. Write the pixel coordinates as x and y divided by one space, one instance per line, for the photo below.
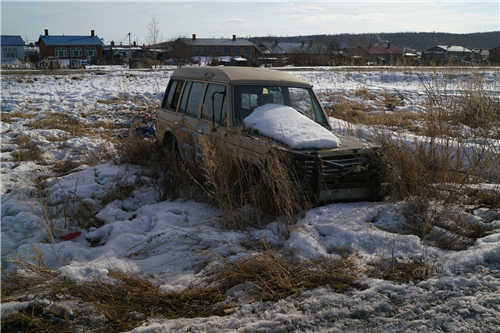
220 47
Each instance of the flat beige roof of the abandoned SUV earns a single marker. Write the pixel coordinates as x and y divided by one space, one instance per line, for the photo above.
239 75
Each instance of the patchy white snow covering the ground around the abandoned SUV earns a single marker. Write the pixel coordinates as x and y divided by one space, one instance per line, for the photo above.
175 242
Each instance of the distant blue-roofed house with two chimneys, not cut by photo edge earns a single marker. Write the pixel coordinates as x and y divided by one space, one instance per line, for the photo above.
71 47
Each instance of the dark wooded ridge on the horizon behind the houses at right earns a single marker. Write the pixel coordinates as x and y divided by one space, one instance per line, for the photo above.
415 40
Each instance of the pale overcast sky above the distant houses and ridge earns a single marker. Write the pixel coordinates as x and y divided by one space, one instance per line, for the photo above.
112 20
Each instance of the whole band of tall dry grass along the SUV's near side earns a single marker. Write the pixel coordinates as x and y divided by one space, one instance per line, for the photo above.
223 179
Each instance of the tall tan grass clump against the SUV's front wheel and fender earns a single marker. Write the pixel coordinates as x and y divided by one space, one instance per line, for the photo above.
269 185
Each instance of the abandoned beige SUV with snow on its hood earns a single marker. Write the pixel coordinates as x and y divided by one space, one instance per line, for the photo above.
215 102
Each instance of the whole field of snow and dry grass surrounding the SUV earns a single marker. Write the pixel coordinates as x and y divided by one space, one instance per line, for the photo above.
424 259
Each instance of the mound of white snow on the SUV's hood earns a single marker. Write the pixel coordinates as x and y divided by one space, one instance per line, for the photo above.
287 125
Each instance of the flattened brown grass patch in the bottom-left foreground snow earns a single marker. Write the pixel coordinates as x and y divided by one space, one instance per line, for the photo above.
131 299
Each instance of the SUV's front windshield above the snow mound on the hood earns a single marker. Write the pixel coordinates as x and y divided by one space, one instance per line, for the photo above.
248 97
